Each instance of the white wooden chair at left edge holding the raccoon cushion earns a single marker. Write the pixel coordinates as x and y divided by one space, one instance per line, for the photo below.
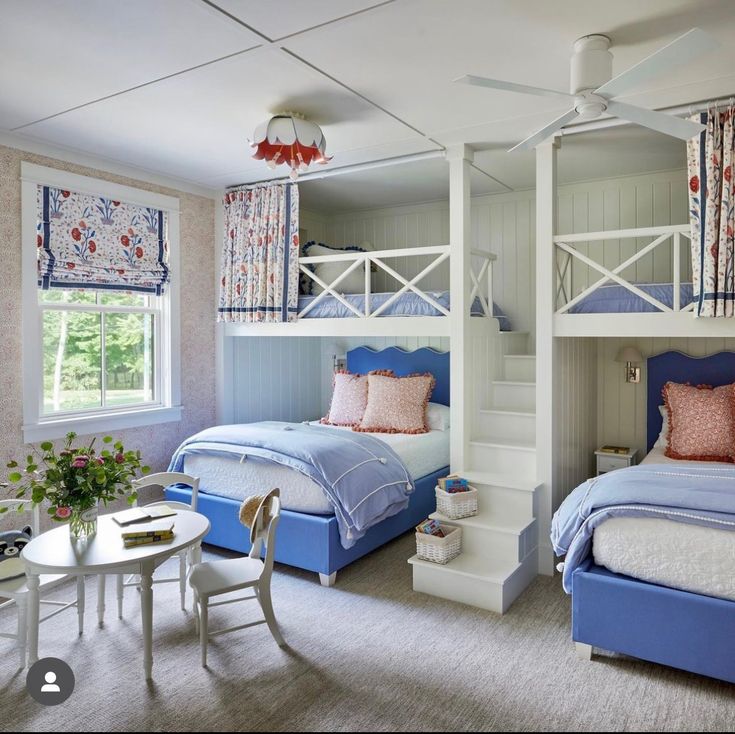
16 590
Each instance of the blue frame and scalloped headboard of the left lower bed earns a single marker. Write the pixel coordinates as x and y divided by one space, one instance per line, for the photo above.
312 542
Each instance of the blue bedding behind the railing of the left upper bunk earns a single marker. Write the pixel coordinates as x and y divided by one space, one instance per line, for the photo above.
407 304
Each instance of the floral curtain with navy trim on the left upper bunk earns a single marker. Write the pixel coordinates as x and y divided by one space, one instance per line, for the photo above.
260 254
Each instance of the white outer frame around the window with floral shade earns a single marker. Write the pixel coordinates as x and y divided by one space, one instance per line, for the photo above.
167 408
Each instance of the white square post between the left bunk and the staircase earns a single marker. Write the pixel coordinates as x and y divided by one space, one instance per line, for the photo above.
460 158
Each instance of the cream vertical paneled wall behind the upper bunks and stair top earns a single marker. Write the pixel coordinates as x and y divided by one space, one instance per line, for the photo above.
505 225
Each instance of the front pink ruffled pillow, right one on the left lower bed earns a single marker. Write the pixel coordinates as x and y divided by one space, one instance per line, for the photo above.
397 404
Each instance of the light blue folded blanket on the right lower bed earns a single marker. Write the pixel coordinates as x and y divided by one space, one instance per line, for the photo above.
689 494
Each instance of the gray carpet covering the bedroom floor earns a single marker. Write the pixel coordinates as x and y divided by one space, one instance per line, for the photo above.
369 654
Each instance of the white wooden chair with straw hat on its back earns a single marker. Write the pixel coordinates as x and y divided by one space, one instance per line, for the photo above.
222 577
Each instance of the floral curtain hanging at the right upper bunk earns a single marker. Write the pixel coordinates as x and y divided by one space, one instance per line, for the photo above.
710 159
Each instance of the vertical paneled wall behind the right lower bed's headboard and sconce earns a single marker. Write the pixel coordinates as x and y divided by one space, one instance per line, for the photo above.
621 406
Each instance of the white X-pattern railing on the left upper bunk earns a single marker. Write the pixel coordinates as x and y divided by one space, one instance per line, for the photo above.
369 261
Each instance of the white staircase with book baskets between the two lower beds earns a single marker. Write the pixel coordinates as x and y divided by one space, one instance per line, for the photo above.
500 544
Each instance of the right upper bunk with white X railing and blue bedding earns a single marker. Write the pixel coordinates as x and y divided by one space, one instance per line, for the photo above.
628 282
